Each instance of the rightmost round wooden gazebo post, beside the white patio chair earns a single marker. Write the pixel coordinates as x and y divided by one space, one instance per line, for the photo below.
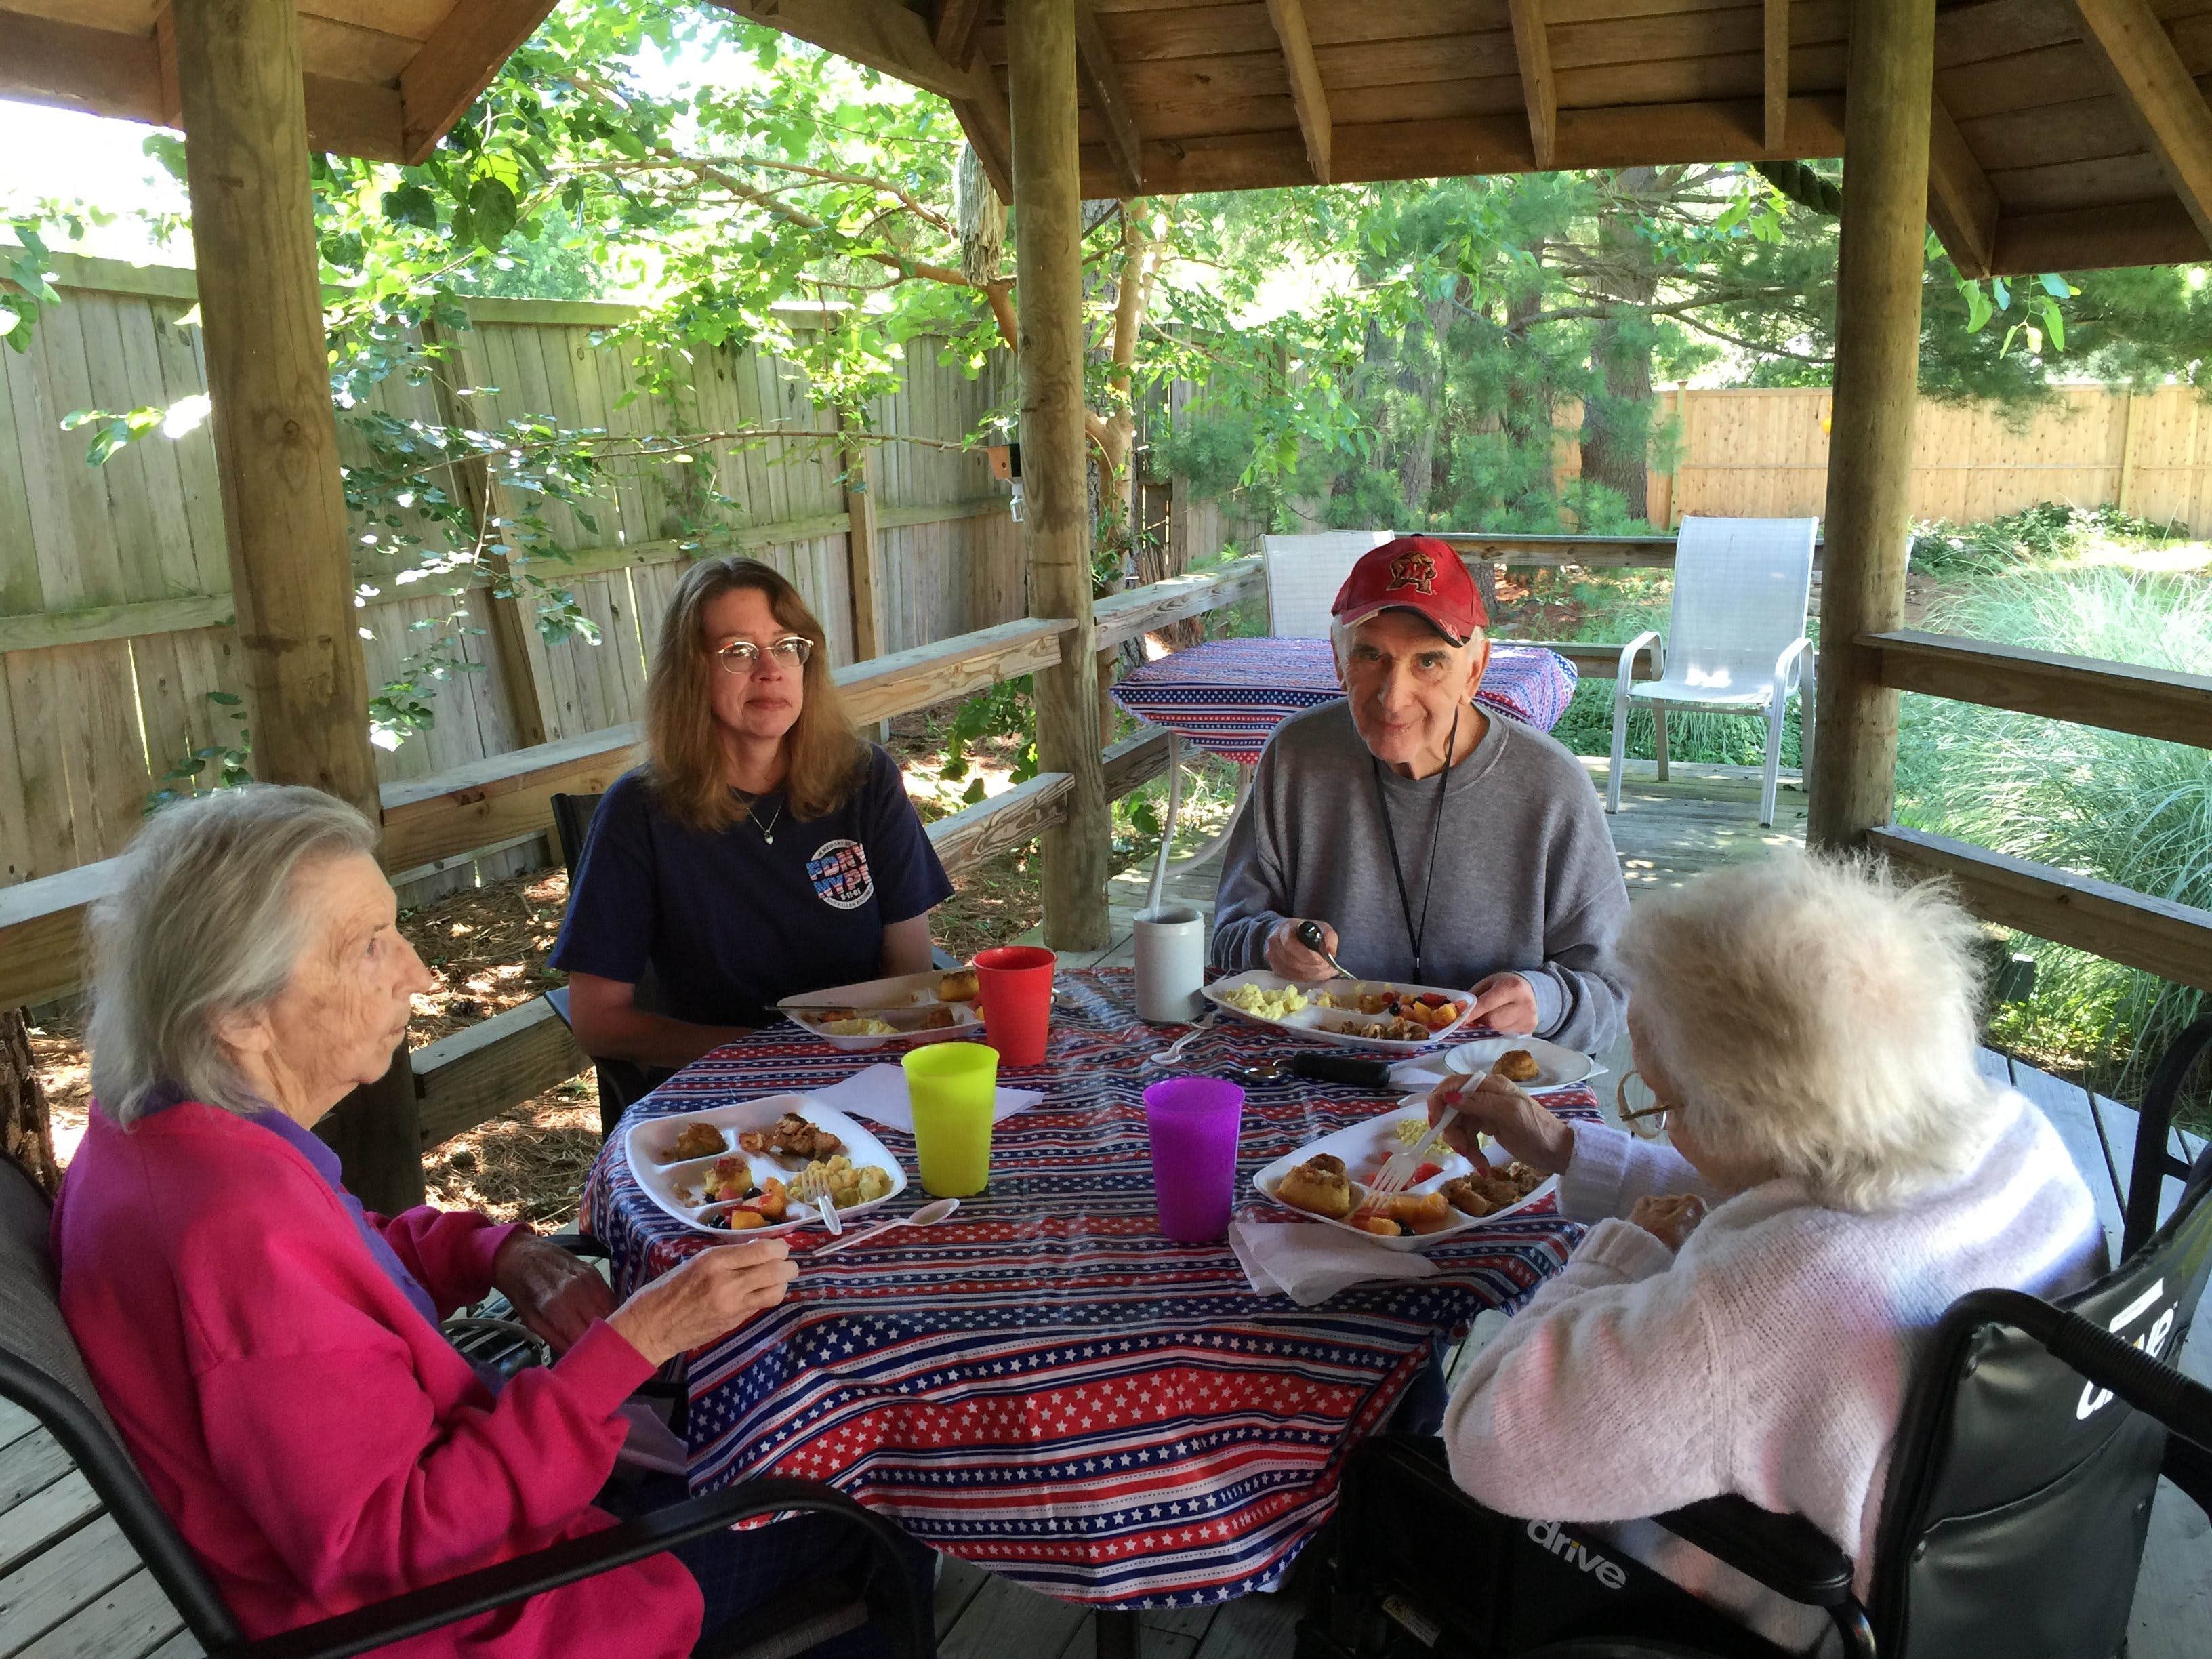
1870 461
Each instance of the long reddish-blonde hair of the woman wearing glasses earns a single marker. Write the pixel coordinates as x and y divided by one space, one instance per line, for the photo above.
685 755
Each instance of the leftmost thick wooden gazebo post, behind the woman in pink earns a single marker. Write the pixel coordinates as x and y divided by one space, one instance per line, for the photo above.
278 463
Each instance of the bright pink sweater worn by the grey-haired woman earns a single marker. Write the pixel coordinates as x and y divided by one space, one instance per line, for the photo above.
313 1437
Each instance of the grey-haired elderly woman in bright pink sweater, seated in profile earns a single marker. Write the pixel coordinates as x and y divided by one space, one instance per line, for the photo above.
269 1350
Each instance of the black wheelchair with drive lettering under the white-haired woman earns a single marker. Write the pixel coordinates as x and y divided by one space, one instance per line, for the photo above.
2014 1516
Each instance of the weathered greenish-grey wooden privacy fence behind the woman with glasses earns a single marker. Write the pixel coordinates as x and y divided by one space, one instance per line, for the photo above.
116 583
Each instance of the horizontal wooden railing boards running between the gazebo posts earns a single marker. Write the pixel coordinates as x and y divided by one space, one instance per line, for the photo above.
501 1063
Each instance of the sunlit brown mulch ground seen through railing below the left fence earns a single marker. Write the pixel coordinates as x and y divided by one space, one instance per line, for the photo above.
490 948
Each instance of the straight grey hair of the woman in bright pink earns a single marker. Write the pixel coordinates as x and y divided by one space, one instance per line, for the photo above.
200 926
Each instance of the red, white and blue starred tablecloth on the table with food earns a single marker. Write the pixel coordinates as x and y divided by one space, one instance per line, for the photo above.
1043 1384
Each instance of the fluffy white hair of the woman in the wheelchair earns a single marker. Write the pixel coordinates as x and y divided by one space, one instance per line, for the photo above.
1819 1019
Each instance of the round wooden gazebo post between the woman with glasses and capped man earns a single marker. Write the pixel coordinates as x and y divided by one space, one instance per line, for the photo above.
1050 284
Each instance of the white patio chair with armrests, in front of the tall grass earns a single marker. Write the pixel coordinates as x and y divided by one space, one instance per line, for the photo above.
1735 638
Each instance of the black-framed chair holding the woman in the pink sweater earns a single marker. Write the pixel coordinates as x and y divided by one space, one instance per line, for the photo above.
43 1373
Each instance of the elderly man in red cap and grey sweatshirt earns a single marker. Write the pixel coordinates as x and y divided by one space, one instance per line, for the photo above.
1430 842
